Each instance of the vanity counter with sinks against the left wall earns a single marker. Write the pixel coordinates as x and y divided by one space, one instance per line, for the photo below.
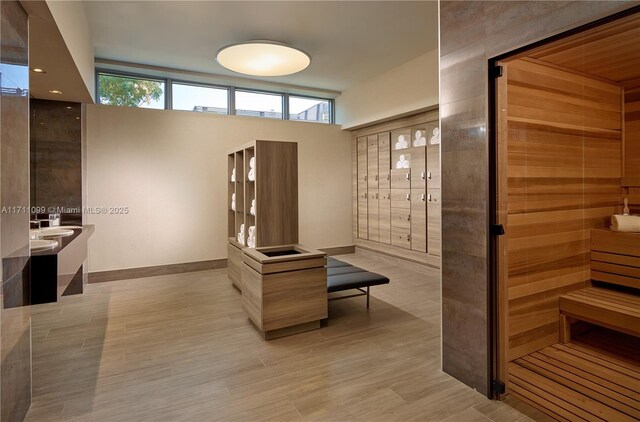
59 270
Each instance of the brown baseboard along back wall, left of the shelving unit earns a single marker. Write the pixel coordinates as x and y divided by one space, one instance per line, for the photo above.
140 272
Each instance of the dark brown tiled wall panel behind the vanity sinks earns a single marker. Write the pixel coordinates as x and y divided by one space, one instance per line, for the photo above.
56 158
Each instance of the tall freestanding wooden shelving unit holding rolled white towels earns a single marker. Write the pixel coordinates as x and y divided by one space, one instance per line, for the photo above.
273 189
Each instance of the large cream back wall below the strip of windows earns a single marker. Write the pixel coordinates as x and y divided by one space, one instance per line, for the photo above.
169 168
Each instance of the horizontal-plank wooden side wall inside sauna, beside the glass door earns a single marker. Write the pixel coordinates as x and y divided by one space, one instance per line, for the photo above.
564 171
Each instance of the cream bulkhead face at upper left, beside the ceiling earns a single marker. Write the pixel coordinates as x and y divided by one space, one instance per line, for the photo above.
73 25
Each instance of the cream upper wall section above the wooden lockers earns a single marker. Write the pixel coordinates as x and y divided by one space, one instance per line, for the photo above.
405 88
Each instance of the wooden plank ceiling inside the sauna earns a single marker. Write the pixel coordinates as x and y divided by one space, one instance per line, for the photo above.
610 51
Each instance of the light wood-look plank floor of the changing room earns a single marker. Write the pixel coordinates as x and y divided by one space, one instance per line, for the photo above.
180 348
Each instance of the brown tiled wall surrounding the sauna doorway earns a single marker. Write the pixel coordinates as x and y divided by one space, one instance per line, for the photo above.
471 33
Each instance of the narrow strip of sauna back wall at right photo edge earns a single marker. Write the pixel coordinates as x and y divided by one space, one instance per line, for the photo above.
632 133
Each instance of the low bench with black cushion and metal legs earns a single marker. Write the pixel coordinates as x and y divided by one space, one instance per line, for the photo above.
343 276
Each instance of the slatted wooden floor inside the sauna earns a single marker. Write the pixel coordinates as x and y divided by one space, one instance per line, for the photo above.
581 382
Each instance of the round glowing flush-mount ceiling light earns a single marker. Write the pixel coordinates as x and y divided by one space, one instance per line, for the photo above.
263 58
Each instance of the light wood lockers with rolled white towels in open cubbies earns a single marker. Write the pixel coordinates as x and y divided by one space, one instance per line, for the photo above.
397 188
